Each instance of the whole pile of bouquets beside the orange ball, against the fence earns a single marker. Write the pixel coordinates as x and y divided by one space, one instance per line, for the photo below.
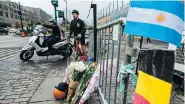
79 78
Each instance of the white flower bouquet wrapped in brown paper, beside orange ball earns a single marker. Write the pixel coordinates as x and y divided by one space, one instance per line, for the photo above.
74 73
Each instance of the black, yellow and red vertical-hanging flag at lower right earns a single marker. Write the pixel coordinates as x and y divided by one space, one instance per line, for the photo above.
155 77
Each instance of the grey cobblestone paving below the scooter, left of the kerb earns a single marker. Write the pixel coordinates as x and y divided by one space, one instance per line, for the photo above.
20 80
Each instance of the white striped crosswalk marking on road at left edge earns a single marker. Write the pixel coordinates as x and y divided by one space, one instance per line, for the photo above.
7 53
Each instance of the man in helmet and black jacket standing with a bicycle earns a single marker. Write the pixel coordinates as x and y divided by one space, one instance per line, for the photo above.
77 27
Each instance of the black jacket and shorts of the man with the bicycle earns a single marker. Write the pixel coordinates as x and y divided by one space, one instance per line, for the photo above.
78 27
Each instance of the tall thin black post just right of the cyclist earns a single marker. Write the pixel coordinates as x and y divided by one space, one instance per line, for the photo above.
95 28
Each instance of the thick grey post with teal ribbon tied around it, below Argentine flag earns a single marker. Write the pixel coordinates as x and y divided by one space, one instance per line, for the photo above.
127 60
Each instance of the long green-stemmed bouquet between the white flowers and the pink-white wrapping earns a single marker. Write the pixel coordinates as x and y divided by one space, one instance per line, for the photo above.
84 82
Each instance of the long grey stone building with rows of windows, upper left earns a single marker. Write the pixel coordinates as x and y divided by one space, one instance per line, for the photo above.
9 14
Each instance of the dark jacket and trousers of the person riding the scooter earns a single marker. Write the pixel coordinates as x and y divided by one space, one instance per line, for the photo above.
54 37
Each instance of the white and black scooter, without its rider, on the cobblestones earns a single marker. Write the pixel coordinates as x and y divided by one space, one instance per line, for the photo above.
37 43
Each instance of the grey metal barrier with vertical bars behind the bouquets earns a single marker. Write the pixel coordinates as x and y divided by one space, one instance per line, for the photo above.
110 50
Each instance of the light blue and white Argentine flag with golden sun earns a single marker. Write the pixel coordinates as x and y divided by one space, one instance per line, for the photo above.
162 20
